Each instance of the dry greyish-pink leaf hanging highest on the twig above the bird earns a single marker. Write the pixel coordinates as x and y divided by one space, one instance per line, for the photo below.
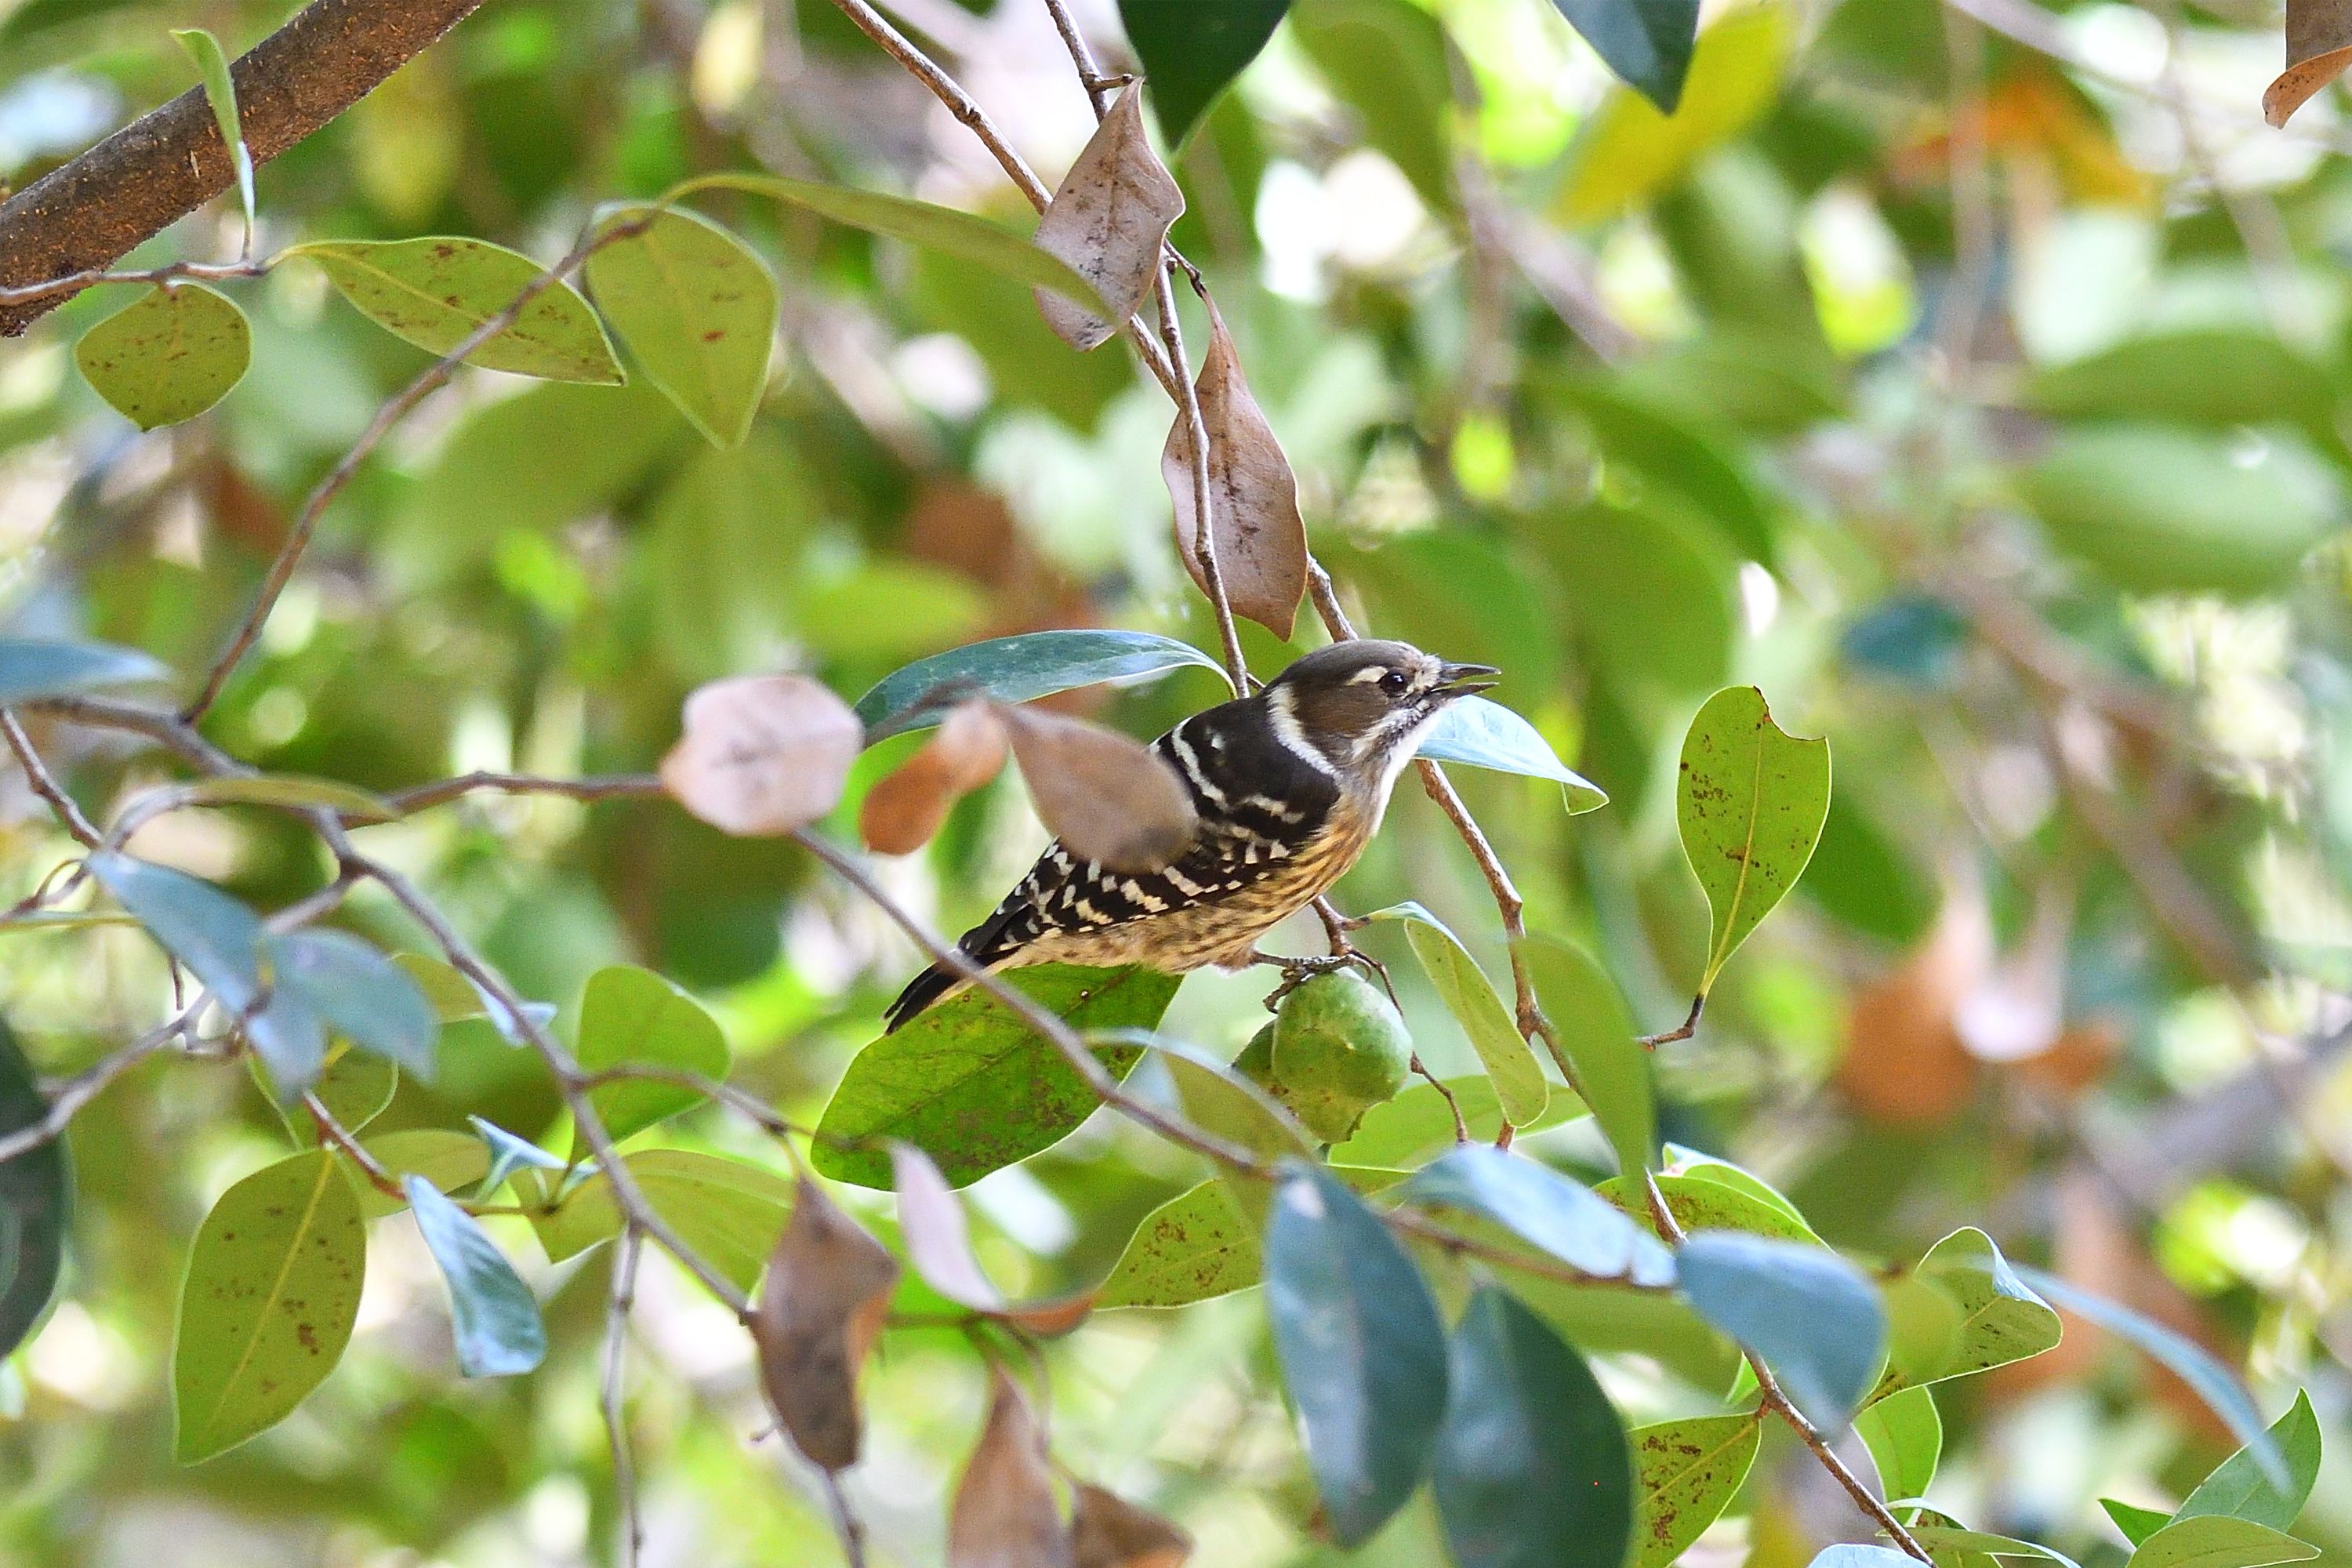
1109 222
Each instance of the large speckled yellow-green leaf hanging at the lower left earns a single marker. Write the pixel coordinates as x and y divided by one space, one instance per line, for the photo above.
274 1287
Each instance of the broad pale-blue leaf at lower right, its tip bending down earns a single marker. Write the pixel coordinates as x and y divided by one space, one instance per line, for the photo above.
1810 1313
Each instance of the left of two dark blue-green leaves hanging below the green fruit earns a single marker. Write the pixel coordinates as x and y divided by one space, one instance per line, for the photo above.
1361 1348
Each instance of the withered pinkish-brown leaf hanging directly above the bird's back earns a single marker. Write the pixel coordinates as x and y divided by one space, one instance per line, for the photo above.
1262 544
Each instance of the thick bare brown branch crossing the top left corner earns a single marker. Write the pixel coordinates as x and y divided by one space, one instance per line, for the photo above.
168 163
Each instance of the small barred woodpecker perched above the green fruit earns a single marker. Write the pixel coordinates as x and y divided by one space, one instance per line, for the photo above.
1290 786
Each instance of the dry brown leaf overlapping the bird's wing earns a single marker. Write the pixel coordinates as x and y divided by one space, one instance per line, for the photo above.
1107 798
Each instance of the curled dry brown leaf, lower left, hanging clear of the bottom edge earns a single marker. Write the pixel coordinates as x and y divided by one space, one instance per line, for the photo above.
820 1313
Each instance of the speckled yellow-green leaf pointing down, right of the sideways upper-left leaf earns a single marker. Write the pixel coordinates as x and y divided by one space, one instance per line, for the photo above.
697 309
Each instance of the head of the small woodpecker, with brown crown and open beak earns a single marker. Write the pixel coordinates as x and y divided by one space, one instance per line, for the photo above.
1365 704
